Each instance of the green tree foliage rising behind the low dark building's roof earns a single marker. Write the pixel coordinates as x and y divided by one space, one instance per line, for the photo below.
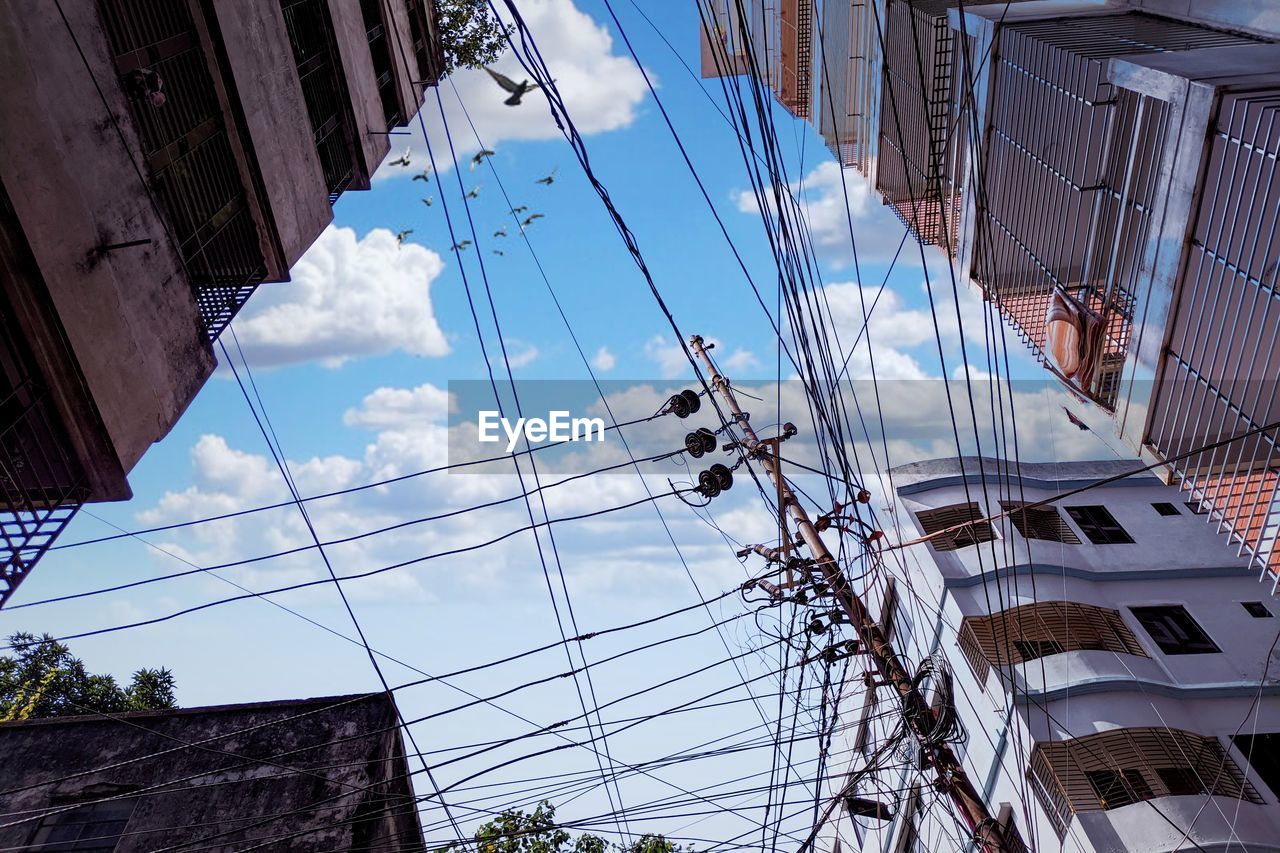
42 678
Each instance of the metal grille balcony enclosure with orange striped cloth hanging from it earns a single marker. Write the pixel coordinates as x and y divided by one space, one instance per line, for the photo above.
1072 176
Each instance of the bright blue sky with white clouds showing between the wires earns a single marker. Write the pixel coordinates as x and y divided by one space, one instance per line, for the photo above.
372 336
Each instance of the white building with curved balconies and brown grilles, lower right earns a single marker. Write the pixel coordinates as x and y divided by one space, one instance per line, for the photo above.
1113 672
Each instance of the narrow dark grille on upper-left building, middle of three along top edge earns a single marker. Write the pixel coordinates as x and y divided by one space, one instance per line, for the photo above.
324 90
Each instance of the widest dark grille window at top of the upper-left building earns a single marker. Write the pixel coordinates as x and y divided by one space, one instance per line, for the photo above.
189 152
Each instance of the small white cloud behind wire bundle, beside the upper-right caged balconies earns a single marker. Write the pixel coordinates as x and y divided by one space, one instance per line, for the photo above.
877 231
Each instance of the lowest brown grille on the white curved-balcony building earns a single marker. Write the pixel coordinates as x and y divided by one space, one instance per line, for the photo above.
1116 769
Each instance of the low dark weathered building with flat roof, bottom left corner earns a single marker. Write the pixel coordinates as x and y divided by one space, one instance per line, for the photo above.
326 774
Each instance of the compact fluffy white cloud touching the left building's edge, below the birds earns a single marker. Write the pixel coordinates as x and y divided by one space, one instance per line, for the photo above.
349 299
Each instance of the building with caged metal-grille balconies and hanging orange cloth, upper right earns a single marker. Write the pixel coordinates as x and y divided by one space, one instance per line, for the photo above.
1107 174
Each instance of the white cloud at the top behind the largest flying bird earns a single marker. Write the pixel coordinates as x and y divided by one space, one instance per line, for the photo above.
602 89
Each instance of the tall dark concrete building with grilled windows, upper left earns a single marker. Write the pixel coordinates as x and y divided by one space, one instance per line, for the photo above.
161 161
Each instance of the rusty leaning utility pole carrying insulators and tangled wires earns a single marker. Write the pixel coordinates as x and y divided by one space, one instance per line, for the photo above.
921 718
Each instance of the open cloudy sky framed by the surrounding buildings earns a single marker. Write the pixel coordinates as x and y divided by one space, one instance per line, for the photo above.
353 363
